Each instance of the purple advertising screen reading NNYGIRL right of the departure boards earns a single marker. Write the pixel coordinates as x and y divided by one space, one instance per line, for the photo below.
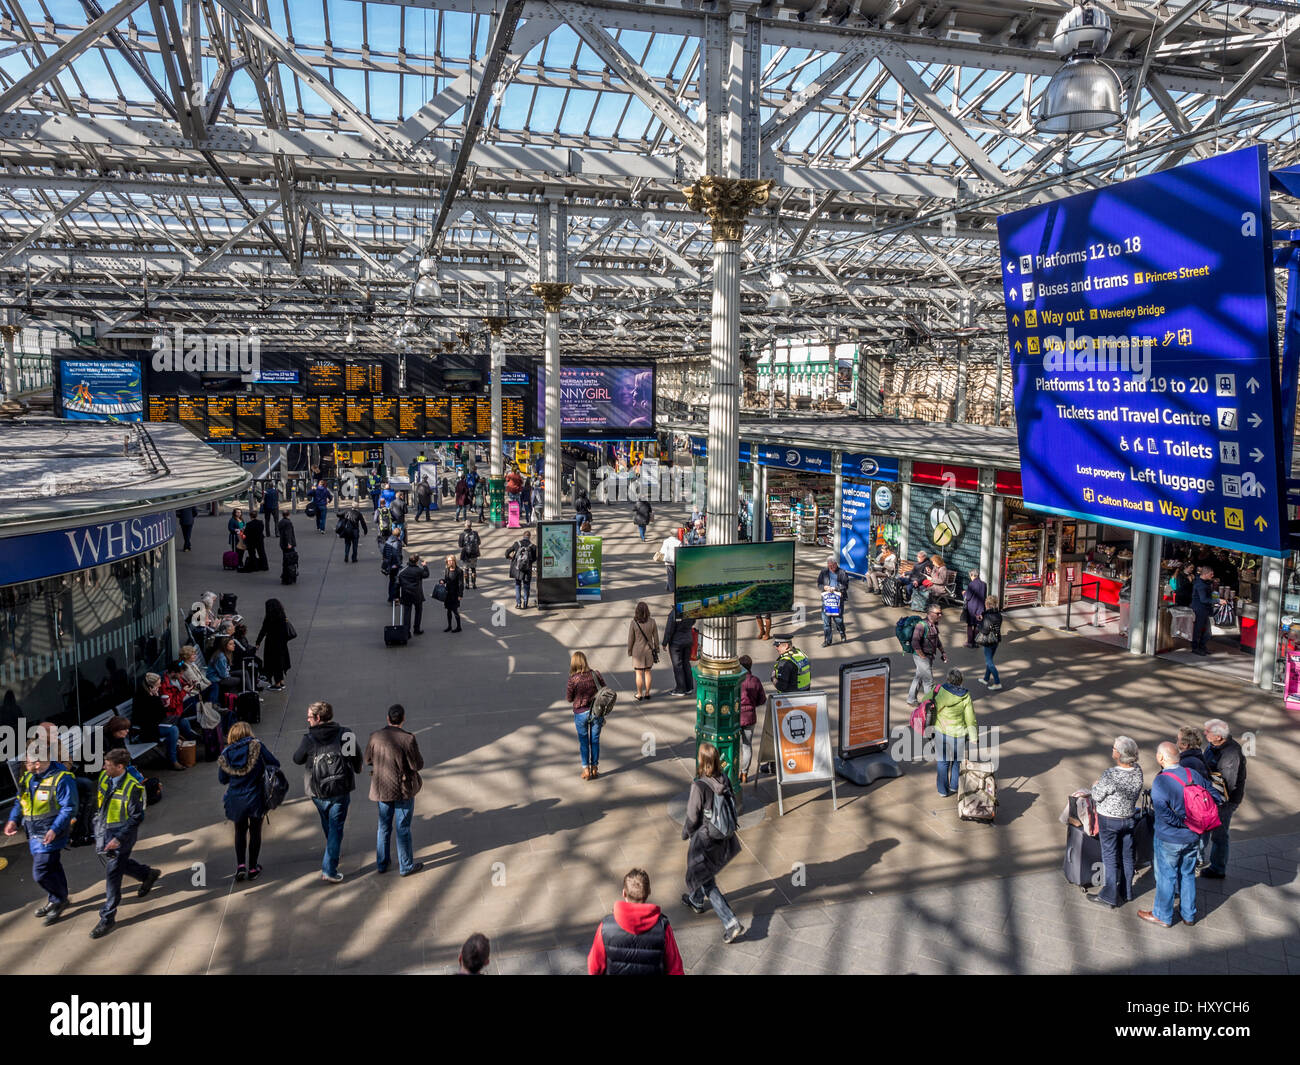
603 400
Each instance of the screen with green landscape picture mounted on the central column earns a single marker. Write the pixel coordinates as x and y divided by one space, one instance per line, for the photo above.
735 579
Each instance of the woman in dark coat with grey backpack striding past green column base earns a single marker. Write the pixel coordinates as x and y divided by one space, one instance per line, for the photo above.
710 828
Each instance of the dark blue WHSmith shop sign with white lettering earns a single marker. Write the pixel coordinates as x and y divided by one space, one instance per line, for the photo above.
67 551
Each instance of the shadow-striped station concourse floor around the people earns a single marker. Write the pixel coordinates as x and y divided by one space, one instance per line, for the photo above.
518 847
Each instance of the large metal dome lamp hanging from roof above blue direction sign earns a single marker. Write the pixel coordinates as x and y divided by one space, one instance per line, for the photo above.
1085 94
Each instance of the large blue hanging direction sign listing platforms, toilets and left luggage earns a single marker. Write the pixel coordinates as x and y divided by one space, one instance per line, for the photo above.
1143 345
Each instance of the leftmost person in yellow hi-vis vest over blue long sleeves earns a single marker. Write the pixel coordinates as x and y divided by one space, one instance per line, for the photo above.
46 807
